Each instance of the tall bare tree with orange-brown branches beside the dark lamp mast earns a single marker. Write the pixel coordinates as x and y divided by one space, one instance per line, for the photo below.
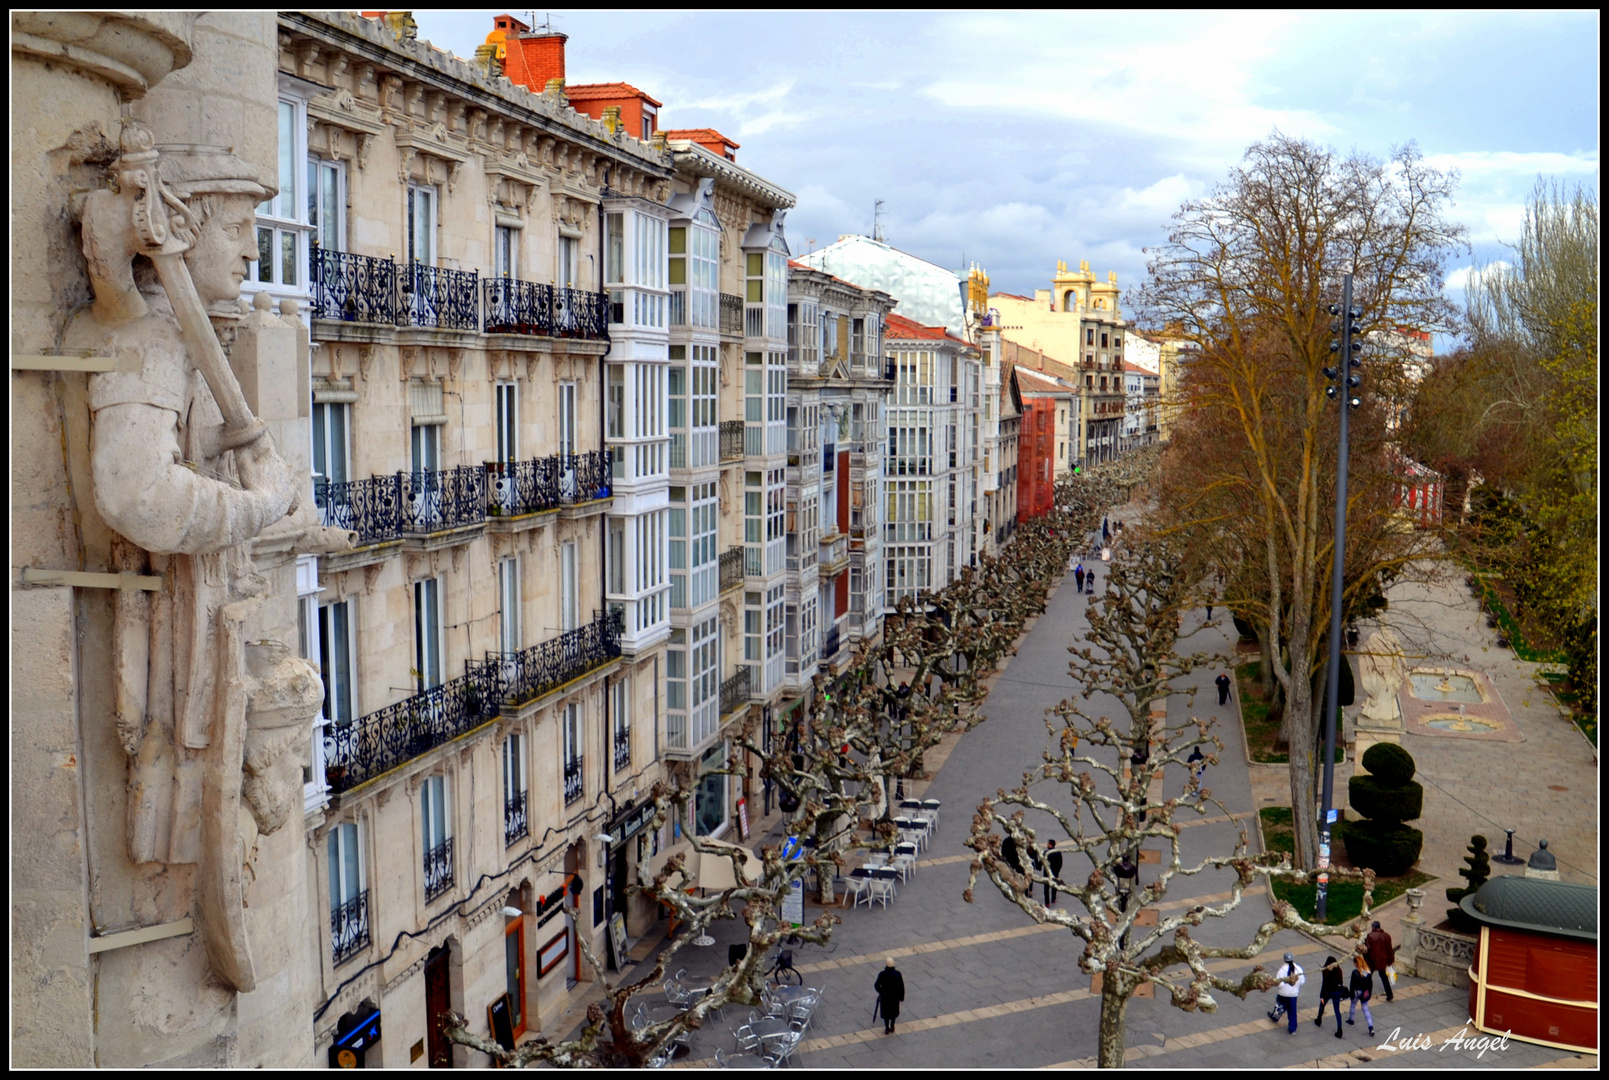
1248 276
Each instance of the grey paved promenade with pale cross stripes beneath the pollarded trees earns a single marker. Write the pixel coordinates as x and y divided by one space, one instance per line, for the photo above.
987 987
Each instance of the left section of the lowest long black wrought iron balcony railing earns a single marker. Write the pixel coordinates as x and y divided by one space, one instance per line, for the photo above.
400 733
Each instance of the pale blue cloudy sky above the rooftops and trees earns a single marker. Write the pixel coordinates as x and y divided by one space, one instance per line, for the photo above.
1019 139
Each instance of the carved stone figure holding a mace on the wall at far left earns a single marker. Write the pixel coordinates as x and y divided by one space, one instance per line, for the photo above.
187 477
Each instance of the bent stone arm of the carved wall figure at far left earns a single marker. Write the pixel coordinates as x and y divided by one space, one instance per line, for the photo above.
146 492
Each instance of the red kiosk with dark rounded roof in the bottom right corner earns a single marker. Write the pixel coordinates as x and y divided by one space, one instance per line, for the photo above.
1536 970
